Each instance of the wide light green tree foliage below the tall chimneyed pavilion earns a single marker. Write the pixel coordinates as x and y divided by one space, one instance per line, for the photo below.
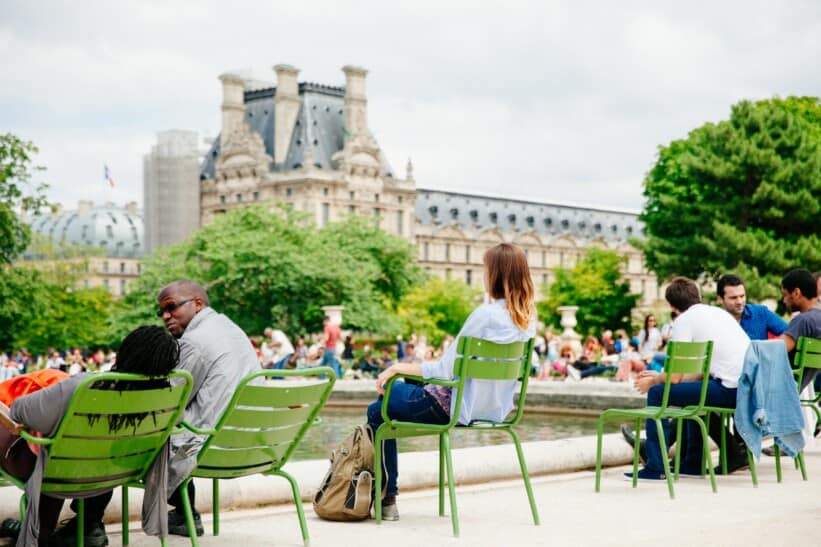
262 268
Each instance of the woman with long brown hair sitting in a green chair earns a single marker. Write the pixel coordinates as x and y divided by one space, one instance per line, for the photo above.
508 317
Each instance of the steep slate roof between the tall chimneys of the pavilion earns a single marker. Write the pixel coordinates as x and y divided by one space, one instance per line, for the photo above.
319 125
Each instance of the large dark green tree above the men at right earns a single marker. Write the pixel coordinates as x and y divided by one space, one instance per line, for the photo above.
740 195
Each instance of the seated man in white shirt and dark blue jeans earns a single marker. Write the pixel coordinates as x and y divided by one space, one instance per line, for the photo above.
696 323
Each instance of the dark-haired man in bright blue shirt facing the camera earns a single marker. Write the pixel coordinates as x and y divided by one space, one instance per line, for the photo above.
757 320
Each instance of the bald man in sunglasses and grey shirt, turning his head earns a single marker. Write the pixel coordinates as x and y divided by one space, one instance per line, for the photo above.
218 354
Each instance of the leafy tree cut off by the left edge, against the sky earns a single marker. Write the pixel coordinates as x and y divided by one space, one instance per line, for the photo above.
17 195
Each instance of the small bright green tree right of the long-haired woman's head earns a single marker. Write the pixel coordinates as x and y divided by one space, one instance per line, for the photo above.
596 286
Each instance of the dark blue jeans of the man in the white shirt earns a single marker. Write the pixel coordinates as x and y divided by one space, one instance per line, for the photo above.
683 394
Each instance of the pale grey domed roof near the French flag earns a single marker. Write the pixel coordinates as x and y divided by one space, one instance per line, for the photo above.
117 230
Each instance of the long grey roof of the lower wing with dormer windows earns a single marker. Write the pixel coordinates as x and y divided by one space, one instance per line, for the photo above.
441 208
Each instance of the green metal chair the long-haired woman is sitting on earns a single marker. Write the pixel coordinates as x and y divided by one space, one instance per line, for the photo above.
478 360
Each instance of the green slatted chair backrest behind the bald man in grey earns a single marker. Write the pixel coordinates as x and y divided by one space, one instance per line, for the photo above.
264 422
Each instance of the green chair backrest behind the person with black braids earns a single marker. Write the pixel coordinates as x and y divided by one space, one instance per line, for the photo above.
113 429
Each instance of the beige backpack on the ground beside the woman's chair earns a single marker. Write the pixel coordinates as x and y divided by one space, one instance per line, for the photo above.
346 492
